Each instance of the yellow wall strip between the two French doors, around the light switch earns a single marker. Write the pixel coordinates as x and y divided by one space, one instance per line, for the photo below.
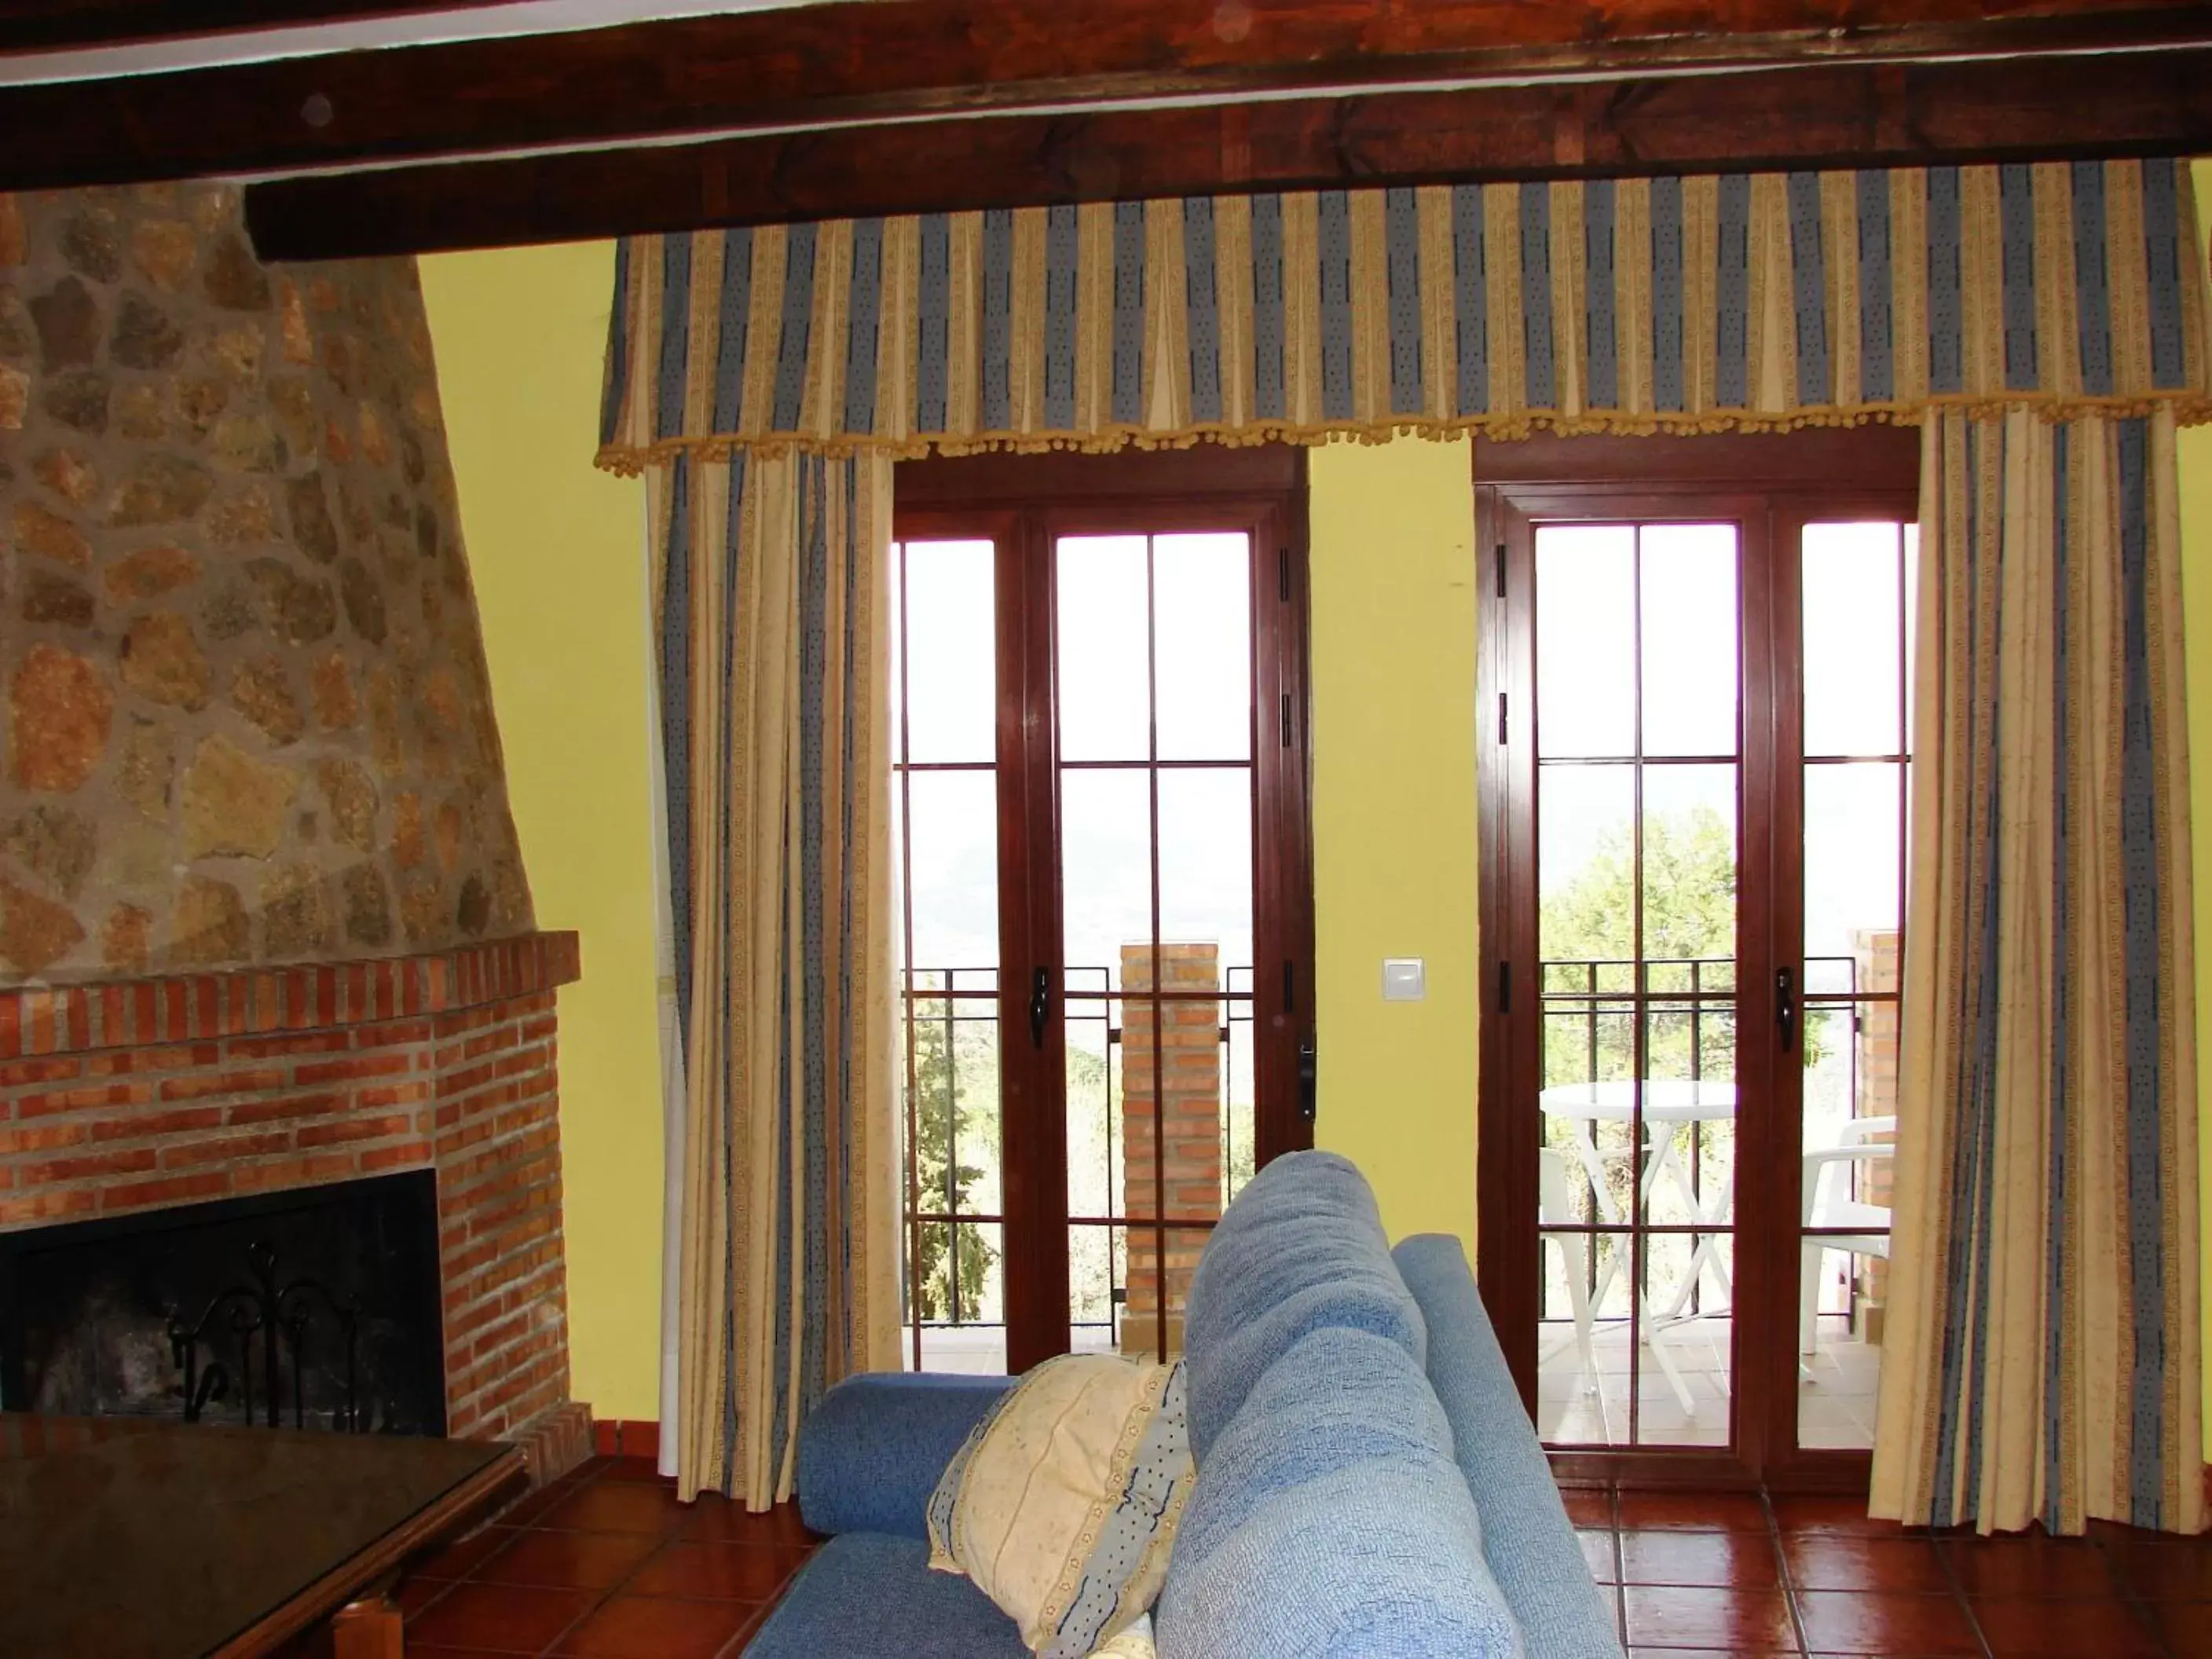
1395 822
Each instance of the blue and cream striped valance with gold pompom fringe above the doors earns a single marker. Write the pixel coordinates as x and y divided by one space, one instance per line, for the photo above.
1631 306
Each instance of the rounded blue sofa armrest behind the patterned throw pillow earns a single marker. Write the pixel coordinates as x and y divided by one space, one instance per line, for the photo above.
875 1448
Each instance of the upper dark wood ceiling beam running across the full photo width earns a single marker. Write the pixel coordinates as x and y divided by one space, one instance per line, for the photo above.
897 61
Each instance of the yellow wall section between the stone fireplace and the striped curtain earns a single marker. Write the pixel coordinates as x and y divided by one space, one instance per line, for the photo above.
559 559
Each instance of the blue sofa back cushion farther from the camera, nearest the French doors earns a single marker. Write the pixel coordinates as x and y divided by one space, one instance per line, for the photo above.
1302 1249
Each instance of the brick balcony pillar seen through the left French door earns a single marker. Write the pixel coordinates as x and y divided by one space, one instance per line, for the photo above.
1187 1047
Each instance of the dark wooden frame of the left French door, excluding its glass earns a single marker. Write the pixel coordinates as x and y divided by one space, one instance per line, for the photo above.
1025 503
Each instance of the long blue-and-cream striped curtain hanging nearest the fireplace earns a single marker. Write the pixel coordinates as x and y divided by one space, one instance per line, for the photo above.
775 709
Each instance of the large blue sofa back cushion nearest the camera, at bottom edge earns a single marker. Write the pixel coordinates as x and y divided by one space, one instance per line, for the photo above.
1331 1521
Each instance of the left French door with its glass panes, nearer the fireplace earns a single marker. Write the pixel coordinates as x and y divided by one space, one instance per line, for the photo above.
1105 886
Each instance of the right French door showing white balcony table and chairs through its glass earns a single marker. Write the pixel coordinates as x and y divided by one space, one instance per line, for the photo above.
1695 791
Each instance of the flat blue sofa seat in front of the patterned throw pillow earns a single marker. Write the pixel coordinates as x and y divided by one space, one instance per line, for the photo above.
868 1596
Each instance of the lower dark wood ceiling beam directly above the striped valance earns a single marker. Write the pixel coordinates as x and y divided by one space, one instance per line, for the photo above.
1802 118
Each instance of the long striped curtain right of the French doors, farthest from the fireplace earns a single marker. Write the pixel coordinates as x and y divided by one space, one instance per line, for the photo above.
2043 1357
